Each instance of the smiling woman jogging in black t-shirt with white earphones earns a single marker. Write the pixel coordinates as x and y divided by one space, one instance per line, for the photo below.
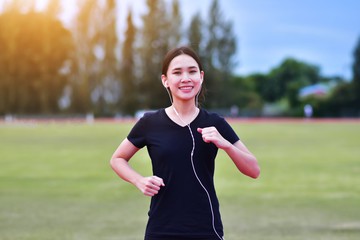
182 142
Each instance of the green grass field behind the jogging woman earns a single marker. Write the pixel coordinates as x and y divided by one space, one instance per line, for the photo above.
56 183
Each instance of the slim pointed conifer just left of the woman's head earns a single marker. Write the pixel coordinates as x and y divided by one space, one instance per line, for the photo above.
128 101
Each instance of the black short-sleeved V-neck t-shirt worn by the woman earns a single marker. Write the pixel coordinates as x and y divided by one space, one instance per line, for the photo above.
182 207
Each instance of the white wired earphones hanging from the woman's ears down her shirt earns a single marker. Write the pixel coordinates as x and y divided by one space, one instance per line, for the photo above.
192 160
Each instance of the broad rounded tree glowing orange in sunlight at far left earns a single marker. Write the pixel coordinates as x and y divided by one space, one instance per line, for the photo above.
35 48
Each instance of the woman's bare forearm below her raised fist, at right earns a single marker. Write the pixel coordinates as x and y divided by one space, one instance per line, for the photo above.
243 159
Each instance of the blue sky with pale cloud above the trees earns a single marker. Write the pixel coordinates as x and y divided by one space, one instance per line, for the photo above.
320 32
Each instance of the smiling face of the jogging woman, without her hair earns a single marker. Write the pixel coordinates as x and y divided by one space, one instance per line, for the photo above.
183 77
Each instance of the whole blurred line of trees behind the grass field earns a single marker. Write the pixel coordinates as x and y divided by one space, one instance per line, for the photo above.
47 68
